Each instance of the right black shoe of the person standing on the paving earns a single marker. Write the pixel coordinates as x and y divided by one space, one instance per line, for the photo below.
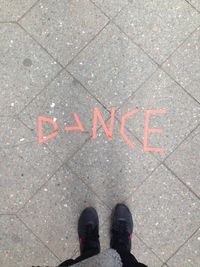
121 228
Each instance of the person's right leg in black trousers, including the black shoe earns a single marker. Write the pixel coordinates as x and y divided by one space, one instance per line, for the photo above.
121 232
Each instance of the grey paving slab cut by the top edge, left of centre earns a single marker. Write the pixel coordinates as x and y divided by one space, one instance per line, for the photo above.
64 28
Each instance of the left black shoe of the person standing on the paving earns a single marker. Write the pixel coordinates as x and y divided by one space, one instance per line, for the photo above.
88 231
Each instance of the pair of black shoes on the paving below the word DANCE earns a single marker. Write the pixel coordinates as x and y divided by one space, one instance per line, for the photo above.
121 229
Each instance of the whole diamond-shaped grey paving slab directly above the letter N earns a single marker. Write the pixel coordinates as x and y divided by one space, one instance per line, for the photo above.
112 67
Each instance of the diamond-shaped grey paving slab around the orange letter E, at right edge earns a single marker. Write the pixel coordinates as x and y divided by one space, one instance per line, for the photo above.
181 117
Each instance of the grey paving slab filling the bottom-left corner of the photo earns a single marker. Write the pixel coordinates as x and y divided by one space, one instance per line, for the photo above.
20 247
